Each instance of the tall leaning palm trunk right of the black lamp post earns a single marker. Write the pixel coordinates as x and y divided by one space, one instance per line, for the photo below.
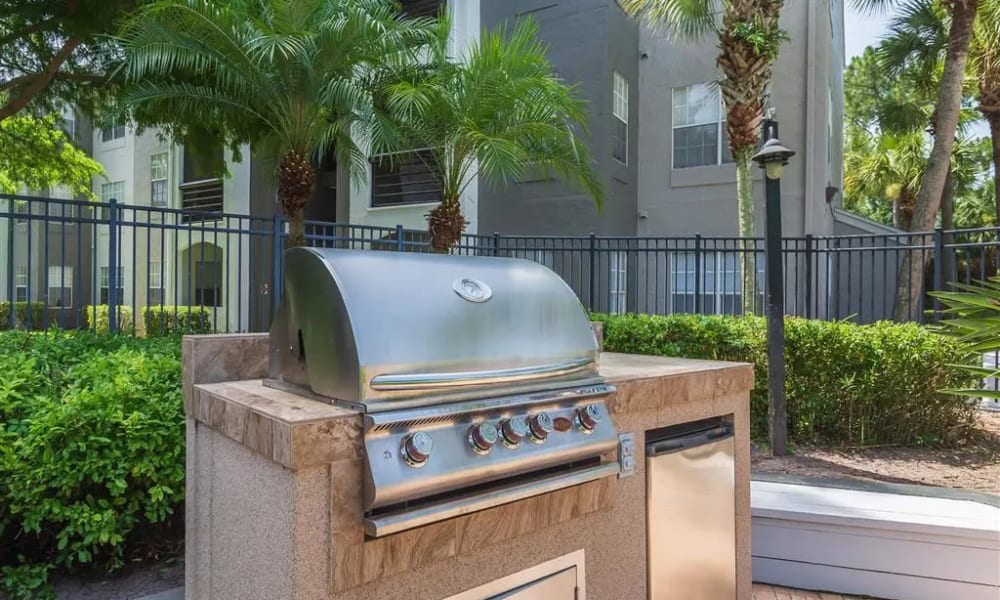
947 109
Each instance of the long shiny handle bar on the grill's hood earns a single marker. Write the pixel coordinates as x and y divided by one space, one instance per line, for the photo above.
421 381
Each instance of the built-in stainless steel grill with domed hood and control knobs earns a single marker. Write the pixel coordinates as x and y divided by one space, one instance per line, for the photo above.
477 376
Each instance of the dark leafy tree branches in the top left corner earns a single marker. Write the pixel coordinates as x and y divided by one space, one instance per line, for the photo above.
52 53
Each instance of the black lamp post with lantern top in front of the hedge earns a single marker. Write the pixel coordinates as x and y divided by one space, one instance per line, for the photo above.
773 157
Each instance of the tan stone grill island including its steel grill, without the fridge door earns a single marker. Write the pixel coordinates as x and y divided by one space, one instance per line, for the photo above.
435 424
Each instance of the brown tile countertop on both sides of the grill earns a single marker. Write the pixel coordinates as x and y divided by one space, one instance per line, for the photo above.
298 432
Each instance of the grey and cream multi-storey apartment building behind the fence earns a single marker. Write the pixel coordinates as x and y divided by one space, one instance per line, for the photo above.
656 134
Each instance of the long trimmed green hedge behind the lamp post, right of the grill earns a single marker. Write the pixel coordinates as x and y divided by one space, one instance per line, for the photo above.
845 384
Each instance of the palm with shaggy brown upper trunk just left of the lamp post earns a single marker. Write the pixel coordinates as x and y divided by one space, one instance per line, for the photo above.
749 39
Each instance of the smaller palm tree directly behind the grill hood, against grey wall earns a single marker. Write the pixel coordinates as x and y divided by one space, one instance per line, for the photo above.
499 113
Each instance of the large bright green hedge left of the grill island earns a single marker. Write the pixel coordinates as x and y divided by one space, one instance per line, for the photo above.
91 452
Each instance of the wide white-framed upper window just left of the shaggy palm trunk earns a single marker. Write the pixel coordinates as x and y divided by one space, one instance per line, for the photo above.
699 124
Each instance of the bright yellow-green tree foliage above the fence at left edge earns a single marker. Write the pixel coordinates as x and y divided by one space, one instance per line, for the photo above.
36 154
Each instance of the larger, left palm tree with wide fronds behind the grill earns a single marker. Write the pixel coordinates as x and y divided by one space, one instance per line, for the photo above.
291 78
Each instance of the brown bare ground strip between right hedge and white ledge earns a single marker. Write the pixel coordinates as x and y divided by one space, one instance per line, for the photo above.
973 466
